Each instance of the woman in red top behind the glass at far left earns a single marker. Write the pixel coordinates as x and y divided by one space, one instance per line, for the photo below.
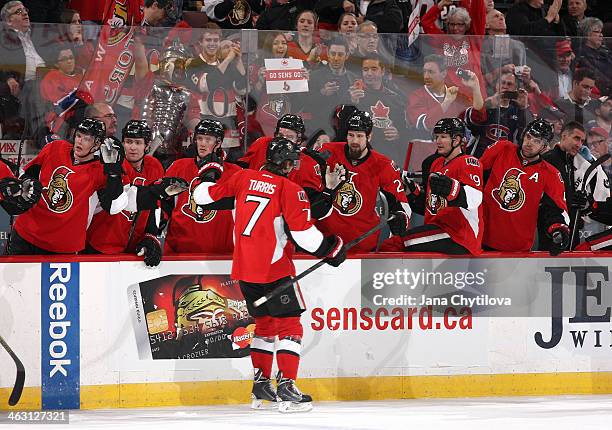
64 78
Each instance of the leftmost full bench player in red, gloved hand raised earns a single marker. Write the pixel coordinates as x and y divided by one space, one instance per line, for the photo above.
71 177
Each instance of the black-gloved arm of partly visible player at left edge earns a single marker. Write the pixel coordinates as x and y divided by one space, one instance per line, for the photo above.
17 195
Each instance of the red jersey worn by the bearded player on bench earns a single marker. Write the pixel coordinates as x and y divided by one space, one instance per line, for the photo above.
353 211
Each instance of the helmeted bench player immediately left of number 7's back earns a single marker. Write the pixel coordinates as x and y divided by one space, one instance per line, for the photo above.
193 228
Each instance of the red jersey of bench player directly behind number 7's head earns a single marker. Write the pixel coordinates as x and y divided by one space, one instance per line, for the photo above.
308 174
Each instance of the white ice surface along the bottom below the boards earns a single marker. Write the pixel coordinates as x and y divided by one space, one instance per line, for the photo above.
515 413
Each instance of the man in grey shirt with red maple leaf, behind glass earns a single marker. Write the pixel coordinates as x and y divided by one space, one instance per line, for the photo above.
370 95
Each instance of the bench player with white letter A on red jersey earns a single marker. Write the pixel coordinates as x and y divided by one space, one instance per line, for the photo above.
517 180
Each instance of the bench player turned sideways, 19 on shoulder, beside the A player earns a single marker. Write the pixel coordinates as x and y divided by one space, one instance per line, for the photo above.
452 199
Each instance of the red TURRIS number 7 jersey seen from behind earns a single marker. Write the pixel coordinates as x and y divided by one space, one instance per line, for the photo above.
265 204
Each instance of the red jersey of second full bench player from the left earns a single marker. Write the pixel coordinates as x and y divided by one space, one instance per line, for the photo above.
108 233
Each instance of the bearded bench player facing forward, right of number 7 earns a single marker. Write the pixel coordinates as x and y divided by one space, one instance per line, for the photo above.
350 209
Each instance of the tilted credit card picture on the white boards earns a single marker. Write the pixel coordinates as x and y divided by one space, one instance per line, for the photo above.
190 316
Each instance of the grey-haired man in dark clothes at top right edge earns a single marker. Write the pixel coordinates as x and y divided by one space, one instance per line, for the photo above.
594 55
